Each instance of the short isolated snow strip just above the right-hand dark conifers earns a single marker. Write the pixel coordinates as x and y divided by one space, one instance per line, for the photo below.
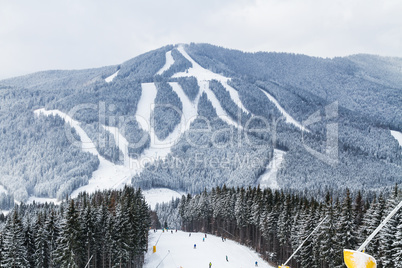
268 178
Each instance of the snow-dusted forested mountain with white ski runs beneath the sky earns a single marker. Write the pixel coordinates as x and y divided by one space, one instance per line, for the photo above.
190 117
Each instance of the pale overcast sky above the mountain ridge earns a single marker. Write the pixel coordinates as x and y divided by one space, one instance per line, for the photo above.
75 34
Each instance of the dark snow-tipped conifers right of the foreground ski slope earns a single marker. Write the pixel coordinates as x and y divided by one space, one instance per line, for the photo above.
275 223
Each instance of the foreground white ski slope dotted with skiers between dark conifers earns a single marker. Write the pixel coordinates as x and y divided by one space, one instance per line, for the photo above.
177 251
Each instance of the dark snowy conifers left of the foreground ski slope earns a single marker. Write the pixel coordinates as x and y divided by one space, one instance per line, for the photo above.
104 229
